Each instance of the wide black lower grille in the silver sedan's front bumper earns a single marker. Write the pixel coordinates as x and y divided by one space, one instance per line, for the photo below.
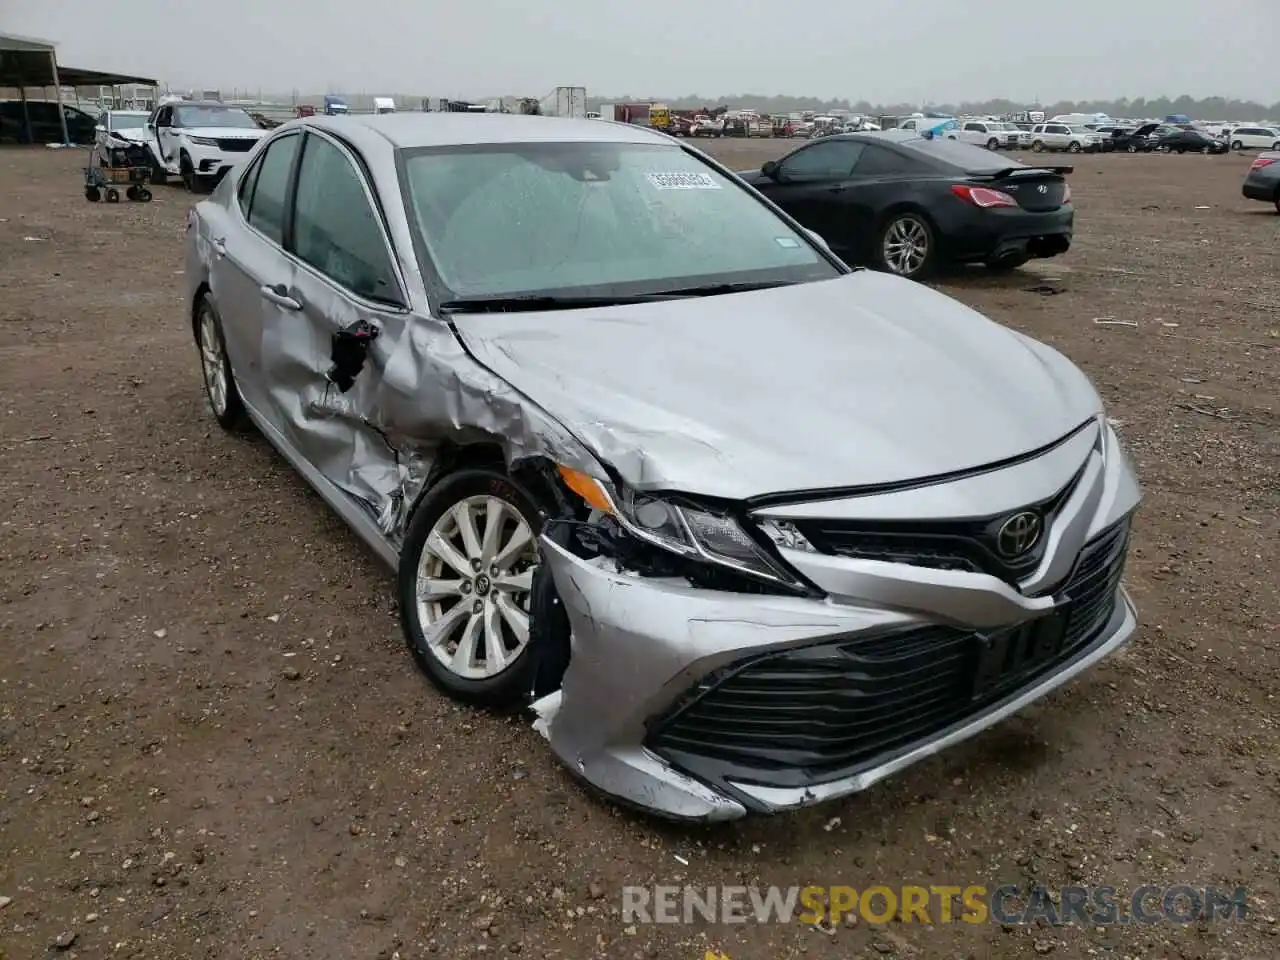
830 711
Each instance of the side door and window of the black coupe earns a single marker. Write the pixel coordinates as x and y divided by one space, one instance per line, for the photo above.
811 184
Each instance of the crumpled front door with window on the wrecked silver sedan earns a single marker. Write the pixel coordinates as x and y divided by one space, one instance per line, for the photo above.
327 369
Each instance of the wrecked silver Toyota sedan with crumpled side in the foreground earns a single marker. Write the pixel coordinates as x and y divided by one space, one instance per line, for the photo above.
746 528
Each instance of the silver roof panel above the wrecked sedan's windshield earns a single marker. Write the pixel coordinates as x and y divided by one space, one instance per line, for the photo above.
432 130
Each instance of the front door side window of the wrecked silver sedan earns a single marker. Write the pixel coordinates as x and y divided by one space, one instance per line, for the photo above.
335 227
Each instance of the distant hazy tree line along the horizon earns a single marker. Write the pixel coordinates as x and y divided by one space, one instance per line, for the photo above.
1208 108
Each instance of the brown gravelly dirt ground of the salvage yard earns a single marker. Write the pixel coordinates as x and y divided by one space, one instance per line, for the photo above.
213 743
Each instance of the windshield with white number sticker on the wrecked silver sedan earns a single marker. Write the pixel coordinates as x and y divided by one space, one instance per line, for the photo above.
593 220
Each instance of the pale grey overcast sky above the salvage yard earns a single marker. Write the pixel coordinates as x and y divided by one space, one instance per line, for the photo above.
908 51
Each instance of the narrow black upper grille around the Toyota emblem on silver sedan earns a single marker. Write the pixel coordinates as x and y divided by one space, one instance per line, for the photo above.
968 545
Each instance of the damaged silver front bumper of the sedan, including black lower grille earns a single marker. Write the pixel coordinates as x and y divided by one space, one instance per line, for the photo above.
702 705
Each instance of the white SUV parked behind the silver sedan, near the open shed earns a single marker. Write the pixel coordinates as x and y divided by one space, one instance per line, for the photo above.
199 141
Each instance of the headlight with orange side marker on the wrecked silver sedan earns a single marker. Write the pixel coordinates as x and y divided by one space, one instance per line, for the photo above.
684 529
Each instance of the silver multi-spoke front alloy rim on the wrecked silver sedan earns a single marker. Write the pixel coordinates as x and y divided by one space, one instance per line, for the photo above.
473 587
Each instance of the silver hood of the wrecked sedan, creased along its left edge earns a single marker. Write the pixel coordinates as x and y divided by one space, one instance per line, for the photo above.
861 381
